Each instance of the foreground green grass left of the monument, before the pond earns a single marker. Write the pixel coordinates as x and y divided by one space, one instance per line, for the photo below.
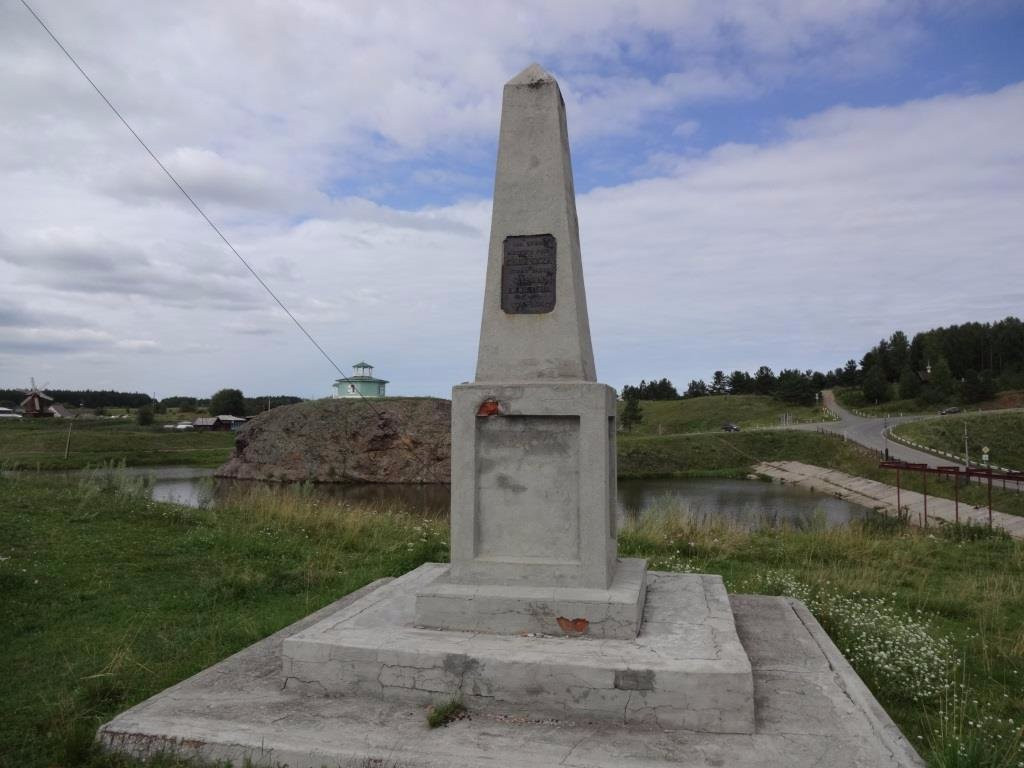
107 598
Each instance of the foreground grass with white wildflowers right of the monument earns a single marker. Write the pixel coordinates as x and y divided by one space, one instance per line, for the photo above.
891 589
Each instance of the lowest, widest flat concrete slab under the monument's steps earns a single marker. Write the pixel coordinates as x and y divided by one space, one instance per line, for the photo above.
812 710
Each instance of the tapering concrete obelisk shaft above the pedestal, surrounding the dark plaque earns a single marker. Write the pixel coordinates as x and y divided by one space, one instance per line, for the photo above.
534 196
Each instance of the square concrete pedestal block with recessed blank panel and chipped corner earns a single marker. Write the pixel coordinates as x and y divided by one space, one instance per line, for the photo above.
534 485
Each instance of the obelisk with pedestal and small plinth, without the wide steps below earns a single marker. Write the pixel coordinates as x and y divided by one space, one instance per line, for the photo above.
534 437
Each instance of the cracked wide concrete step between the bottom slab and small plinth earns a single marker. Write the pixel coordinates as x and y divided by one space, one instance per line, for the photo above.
686 670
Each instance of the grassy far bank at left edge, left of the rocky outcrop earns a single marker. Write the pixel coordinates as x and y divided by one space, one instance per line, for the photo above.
39 444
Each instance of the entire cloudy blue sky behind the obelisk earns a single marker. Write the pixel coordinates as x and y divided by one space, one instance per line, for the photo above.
779 183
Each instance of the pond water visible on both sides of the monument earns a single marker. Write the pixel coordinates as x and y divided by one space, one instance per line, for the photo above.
751 503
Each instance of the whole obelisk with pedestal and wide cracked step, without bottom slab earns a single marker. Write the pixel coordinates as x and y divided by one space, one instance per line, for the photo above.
534 577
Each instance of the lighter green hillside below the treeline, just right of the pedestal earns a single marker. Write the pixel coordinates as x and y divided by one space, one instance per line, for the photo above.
709 414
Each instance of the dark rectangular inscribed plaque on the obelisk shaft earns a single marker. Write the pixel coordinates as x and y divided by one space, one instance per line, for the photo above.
529 274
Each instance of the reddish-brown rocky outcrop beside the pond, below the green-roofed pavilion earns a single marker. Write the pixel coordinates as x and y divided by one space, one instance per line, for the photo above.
397 440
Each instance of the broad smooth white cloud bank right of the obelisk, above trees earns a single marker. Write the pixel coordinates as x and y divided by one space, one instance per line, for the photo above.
805 252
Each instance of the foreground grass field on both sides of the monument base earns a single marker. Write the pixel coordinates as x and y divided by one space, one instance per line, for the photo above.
107 599
